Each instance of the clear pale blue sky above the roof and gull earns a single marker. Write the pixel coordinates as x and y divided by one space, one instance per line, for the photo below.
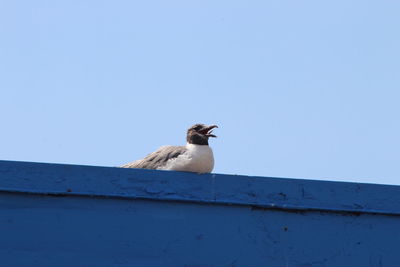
301 89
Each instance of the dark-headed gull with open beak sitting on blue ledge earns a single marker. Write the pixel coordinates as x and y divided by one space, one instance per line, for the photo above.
196 156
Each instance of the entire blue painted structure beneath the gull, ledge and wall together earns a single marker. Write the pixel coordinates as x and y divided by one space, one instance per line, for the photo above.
67 215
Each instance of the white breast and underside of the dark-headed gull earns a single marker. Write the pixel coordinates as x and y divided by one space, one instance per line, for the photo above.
197 158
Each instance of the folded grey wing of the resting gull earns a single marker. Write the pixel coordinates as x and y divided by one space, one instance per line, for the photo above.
158 158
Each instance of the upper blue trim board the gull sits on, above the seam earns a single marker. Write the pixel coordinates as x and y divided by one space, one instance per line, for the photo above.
261 192
